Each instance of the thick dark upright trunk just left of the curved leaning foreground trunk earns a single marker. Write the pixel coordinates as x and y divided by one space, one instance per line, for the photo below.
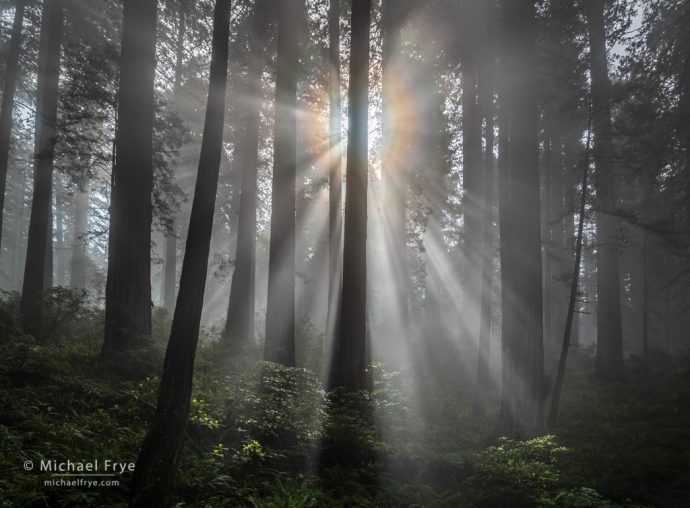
128 287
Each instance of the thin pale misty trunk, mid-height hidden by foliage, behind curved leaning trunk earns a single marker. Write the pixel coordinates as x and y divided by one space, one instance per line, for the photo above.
169 283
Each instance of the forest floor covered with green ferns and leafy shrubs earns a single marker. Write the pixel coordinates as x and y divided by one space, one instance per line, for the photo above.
289 444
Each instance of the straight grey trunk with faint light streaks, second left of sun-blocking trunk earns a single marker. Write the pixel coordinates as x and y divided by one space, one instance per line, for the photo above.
280 312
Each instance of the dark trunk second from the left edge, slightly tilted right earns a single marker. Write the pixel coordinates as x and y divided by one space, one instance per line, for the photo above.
40 226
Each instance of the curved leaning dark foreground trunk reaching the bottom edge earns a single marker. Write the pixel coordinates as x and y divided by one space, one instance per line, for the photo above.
159 458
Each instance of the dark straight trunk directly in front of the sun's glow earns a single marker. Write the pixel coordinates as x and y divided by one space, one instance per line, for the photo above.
348 366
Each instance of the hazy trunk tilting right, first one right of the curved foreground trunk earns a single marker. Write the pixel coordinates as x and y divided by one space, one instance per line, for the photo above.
239 327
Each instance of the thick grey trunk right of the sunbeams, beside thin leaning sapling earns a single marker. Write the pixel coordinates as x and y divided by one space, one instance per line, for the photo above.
523 353
